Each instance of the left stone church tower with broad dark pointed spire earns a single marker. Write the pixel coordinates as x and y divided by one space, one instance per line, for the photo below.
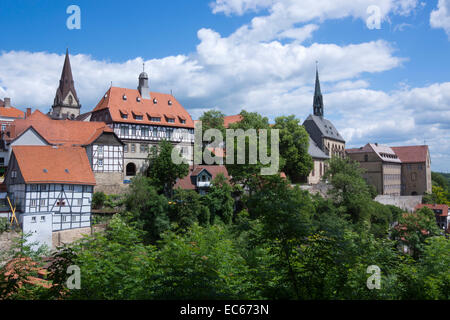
66 104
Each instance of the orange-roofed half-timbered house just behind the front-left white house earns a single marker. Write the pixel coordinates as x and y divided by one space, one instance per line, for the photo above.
102 146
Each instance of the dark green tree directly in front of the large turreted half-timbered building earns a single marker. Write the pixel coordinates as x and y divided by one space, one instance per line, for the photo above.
162 171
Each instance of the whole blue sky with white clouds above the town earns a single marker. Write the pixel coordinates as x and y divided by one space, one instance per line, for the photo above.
383 64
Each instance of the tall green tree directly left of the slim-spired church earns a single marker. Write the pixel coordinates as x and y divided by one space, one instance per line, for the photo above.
294 142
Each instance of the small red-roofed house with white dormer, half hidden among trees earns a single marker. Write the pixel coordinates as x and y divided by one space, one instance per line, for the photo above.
200 177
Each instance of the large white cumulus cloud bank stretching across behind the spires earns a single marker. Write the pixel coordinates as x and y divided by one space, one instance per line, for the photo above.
264 66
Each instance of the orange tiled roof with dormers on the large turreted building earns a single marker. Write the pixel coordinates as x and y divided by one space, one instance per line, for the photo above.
158 104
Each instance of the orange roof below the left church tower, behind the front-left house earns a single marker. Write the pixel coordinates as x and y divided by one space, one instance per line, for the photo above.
65 132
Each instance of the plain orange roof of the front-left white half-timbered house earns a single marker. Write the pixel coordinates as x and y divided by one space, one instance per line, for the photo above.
48 164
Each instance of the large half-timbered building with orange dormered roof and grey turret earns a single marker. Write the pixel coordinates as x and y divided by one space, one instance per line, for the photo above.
141 119
